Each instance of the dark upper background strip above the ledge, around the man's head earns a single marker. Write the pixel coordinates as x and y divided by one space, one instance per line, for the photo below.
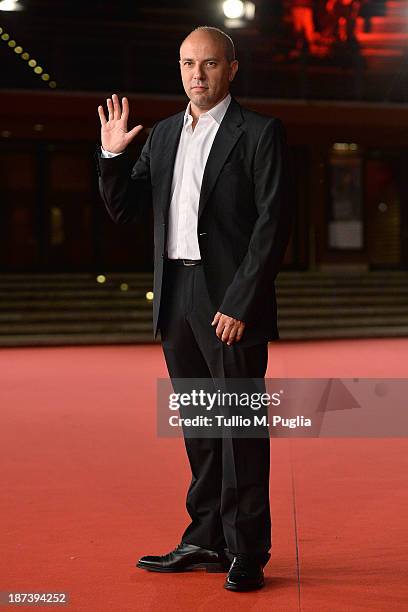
100 45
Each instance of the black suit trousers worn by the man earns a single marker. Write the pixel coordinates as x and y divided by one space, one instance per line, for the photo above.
228 497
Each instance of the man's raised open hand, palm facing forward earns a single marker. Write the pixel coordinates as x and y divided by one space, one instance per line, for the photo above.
114 135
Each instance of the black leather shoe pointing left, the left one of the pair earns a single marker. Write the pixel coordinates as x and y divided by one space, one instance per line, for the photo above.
186 557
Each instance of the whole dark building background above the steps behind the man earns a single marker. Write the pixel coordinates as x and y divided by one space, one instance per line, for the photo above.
329 91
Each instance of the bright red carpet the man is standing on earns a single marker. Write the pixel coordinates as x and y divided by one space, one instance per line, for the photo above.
87 488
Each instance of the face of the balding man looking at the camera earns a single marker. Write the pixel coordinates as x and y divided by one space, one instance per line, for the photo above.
205 71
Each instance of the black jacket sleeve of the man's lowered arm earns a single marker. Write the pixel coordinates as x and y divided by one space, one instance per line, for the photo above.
271 231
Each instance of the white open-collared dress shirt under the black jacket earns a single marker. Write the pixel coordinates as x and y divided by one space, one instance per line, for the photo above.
192 154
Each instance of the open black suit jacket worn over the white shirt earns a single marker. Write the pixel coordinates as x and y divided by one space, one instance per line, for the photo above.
244 217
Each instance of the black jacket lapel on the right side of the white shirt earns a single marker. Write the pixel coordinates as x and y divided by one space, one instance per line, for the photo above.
224 141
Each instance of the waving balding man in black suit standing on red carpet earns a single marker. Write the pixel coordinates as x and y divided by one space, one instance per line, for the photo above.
216 176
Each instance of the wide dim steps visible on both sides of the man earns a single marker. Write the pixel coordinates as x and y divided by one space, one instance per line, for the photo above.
76 309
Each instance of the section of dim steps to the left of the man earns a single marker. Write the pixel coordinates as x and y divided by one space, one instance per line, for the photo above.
71 309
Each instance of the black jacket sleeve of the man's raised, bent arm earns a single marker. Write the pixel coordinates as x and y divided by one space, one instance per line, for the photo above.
125 190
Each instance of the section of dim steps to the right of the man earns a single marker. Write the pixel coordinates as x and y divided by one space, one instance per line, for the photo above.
338 305
